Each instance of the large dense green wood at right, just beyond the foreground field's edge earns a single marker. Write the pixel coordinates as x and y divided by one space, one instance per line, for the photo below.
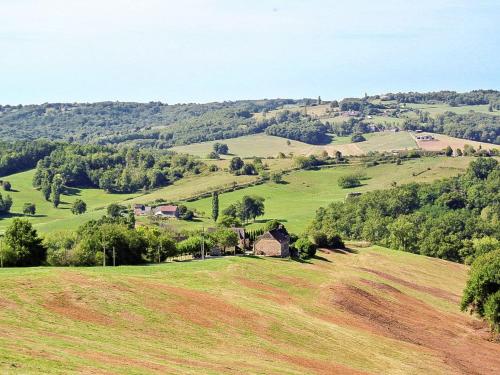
442 219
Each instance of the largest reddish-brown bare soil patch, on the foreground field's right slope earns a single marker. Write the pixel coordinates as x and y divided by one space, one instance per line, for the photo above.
461 345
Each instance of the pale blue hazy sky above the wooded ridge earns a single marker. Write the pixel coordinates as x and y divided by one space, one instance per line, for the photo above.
214 50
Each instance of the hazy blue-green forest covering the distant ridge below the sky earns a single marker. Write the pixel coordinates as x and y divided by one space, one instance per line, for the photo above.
159 125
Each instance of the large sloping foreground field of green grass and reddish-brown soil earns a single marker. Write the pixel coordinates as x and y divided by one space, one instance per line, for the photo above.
369 311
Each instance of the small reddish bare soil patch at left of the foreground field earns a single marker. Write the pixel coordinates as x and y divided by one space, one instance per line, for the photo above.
64 304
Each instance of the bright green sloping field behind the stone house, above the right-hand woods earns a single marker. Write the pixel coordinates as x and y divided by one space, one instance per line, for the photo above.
296 201
